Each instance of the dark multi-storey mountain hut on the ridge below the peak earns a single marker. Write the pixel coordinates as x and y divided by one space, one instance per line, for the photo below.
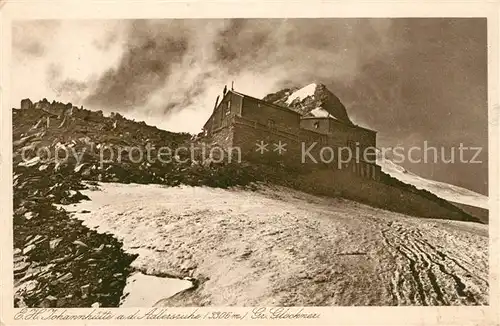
312 139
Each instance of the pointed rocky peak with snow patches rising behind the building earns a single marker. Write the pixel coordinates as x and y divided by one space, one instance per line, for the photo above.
314 100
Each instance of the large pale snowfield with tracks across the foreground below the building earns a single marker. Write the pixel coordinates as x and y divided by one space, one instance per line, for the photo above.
208 227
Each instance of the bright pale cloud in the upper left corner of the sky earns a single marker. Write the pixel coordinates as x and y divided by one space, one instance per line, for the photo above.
70 52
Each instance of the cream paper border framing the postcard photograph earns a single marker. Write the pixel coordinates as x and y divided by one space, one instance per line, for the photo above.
461 315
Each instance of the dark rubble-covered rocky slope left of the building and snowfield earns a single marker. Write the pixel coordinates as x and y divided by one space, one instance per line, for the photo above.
57 261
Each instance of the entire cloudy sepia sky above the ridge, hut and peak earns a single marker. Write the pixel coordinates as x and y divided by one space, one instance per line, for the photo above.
413 80
